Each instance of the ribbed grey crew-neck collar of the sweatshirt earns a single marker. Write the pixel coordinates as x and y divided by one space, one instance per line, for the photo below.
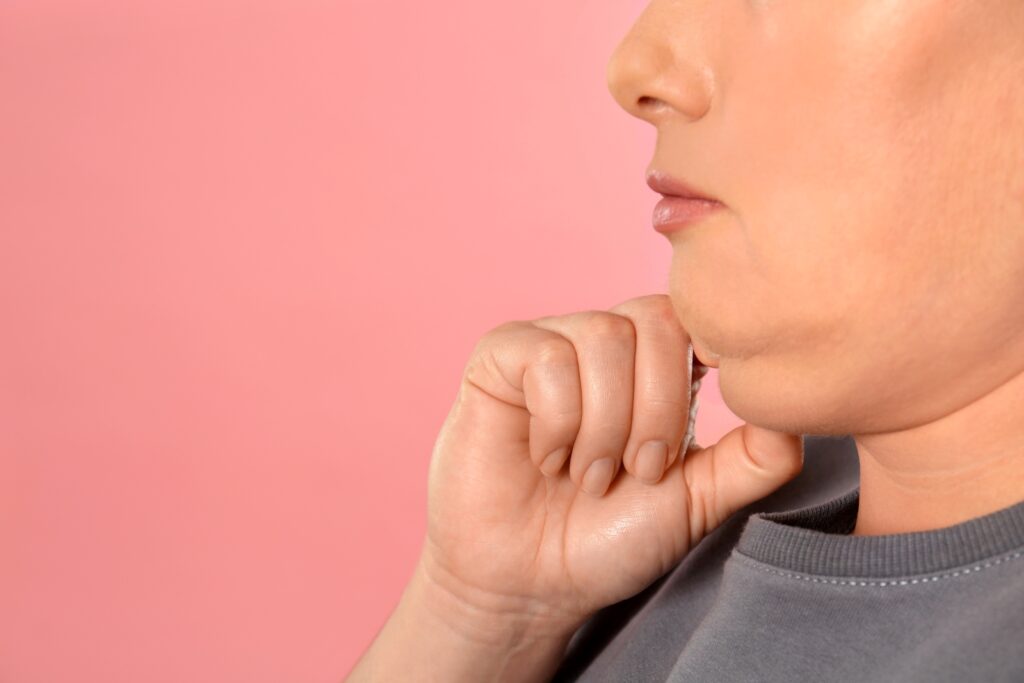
817 540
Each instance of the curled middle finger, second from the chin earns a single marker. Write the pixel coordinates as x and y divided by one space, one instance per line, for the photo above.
606 347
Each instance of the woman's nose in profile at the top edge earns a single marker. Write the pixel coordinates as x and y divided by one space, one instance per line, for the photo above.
659 72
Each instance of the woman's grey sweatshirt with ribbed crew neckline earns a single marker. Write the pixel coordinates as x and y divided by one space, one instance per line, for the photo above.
783 592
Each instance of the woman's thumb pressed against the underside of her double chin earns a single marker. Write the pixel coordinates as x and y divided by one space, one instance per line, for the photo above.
746 465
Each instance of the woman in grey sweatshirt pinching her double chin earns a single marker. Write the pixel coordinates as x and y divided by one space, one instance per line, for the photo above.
862 276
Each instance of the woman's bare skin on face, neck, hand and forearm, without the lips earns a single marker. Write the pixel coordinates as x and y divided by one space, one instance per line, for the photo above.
870 155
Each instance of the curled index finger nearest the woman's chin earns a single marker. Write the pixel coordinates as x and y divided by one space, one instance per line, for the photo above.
662 387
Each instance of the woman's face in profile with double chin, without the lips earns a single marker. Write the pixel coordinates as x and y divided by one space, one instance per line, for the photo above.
867 273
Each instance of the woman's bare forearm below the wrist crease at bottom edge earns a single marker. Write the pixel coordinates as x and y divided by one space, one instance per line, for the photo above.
436 635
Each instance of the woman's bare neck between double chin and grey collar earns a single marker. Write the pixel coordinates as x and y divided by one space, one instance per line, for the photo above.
967 464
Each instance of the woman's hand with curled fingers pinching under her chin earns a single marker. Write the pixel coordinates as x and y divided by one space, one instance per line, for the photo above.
552 407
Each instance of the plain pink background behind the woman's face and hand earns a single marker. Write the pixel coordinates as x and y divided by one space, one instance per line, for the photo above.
245 251
